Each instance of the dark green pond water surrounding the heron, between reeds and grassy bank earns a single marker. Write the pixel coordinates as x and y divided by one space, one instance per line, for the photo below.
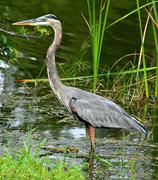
28 106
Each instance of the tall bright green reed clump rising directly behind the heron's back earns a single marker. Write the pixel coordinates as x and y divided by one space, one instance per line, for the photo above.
96 24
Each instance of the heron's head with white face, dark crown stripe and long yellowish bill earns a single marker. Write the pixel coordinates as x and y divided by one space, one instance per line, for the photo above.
45 20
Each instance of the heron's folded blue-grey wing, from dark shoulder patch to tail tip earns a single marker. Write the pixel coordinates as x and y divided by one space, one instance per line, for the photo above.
100 112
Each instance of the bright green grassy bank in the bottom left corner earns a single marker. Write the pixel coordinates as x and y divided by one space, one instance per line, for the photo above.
24 165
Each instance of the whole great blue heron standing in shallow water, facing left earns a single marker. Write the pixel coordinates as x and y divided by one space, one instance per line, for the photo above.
91 109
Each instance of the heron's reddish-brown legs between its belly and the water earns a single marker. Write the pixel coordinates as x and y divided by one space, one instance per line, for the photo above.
91 133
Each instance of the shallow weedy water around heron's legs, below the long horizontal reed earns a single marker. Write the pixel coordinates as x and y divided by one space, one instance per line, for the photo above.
26 107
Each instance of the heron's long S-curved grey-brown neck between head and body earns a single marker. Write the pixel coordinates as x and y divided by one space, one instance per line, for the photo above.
53 76
